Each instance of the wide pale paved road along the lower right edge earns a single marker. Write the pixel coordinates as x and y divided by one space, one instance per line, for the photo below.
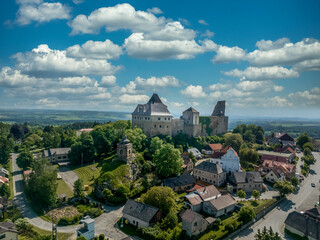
303 200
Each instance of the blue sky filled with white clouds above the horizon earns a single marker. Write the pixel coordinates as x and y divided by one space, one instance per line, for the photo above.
262 57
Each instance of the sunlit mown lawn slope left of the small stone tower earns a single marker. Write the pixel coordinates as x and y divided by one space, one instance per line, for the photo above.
88 174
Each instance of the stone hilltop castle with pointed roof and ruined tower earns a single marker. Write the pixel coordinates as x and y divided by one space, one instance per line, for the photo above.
154 119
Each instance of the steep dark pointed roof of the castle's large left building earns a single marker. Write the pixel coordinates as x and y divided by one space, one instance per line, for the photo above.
154 107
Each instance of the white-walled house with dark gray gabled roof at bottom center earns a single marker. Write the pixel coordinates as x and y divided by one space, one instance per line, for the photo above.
140 214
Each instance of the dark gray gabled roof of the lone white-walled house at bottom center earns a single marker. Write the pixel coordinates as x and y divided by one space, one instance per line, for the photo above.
139 210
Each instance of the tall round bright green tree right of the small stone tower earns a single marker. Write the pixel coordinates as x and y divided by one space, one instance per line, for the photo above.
168 161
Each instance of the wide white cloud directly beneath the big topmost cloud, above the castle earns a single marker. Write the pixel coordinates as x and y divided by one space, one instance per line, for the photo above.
138 47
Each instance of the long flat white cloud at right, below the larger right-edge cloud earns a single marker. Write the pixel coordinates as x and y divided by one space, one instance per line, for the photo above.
264 73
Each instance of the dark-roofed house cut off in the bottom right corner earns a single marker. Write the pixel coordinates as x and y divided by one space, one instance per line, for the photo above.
305 224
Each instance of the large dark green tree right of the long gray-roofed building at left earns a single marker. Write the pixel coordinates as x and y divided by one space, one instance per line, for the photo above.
83 150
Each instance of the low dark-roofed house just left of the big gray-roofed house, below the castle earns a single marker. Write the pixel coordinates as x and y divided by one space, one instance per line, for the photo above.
180 183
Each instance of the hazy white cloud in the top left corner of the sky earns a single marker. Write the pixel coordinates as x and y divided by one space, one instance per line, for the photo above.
39 11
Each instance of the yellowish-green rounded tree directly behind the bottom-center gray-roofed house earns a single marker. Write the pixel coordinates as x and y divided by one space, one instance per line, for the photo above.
160 197
